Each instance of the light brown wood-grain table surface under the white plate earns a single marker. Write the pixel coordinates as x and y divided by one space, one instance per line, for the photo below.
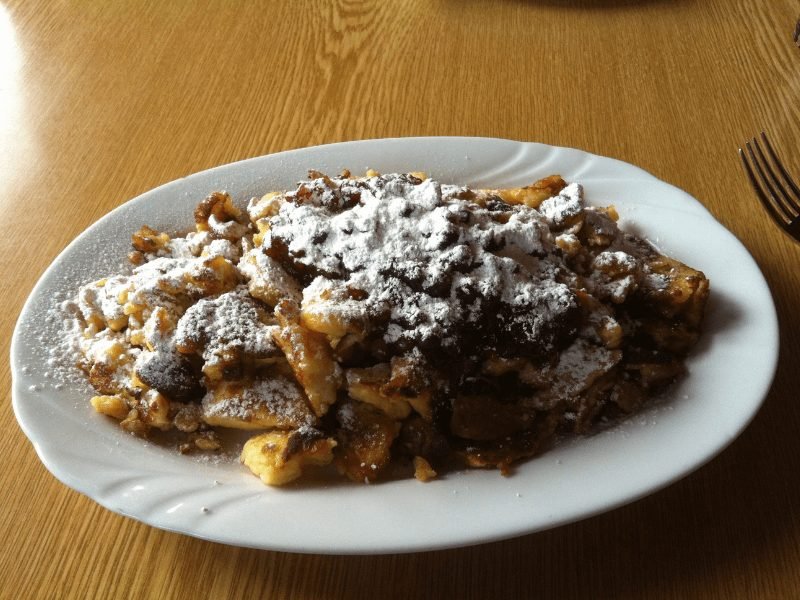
98 104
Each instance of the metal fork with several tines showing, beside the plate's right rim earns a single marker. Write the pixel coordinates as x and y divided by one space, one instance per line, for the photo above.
776 190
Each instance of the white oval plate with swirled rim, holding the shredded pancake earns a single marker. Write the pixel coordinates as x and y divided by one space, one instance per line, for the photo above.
730 373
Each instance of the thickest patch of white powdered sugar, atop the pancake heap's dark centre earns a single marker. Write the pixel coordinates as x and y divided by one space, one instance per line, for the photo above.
425 264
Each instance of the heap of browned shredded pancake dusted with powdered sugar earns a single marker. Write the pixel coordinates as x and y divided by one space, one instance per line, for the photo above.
390 325
